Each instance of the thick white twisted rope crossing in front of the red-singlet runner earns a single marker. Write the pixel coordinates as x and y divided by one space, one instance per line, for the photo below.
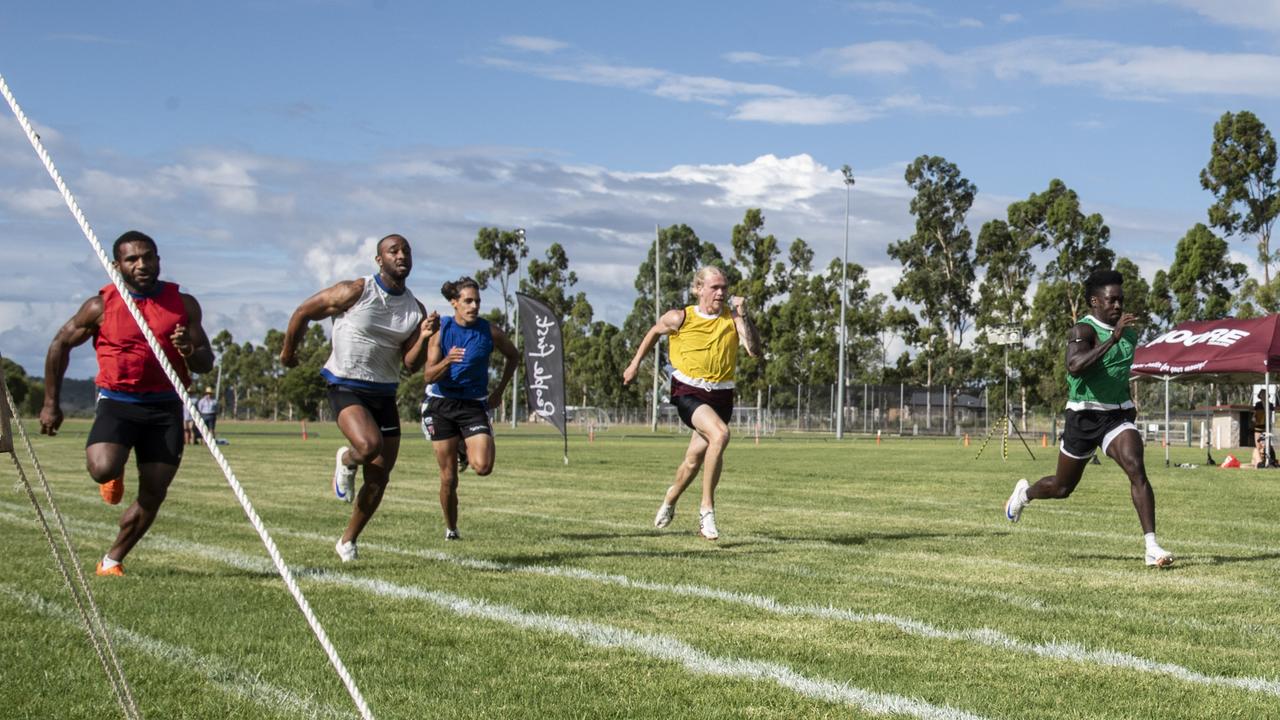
286 575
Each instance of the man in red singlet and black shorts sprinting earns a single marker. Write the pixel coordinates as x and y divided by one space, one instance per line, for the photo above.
138 408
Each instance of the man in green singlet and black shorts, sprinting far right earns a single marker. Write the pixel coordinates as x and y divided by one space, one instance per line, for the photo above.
1100 413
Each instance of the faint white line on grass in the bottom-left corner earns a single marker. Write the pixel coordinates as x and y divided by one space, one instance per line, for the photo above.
222 675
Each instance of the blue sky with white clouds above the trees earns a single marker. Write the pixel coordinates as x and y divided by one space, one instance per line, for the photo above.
266 145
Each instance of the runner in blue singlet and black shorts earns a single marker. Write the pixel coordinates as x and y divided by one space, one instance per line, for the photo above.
456 409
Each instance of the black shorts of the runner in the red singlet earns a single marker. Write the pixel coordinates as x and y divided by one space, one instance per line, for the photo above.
153 430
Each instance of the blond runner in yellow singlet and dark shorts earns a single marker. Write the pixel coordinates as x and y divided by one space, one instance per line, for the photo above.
705 341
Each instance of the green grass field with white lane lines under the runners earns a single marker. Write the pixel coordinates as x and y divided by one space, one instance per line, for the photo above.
851 581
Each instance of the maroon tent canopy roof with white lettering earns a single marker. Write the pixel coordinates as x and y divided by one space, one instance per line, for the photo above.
1213 348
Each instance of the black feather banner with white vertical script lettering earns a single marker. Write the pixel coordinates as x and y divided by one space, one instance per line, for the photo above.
545 362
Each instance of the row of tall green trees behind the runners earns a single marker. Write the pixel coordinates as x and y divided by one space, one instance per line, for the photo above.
943 317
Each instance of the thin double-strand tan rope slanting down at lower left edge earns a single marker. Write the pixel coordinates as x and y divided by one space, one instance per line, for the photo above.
93 617
